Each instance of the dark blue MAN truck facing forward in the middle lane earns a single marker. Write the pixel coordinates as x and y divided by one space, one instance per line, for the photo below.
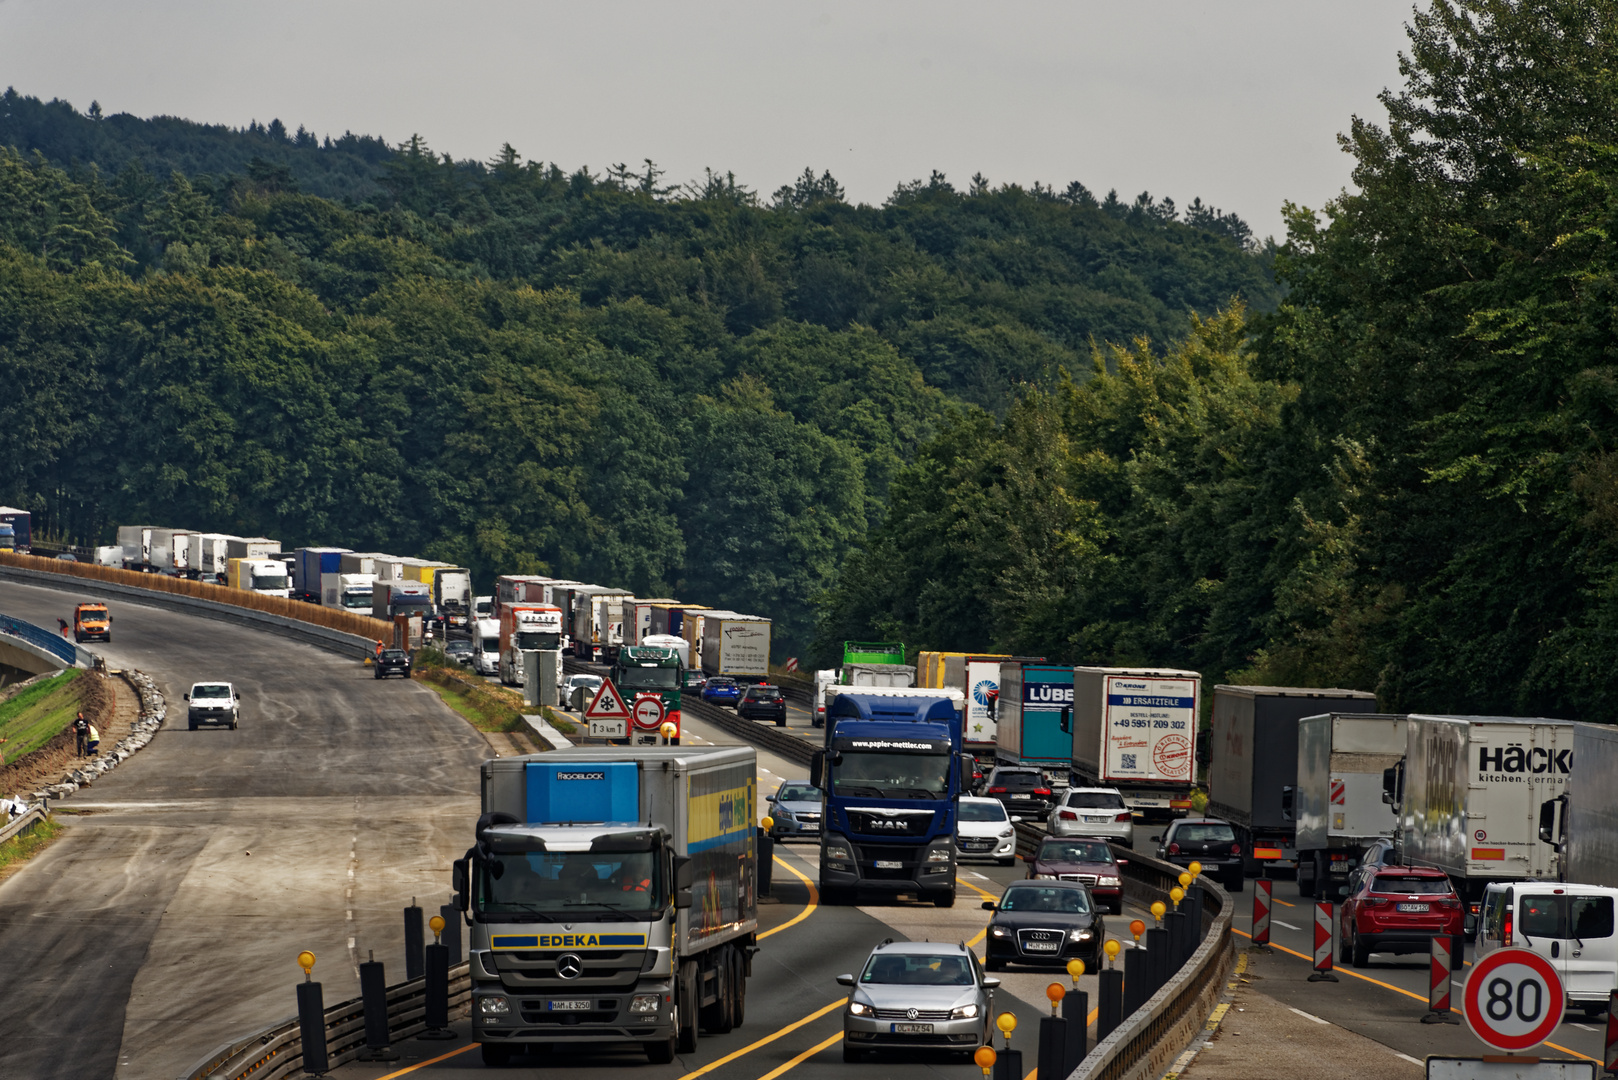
892 773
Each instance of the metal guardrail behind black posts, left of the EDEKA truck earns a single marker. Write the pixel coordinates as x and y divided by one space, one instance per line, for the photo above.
277 1052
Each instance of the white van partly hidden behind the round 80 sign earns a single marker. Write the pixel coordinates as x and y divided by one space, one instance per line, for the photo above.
1569 925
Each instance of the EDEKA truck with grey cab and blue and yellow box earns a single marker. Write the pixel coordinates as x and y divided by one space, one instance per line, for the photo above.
614 899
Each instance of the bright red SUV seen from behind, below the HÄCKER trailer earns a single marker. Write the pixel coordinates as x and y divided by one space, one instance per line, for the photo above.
1399 909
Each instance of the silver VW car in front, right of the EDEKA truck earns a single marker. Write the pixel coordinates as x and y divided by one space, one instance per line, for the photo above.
918 995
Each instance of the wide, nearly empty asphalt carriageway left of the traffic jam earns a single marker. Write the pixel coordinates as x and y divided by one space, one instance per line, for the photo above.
167 919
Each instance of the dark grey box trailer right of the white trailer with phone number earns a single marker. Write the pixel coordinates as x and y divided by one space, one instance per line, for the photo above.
1253 763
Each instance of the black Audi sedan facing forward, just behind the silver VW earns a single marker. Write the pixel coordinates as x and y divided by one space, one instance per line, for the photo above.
1044 922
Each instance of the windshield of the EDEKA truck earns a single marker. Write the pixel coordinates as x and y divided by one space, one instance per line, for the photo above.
567 882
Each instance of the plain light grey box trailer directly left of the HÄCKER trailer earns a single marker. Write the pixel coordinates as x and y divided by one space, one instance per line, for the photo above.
1339 801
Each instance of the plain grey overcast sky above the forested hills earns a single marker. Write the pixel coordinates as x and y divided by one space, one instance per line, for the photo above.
1235 103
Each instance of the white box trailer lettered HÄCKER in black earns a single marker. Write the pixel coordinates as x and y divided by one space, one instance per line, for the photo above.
1470 794
